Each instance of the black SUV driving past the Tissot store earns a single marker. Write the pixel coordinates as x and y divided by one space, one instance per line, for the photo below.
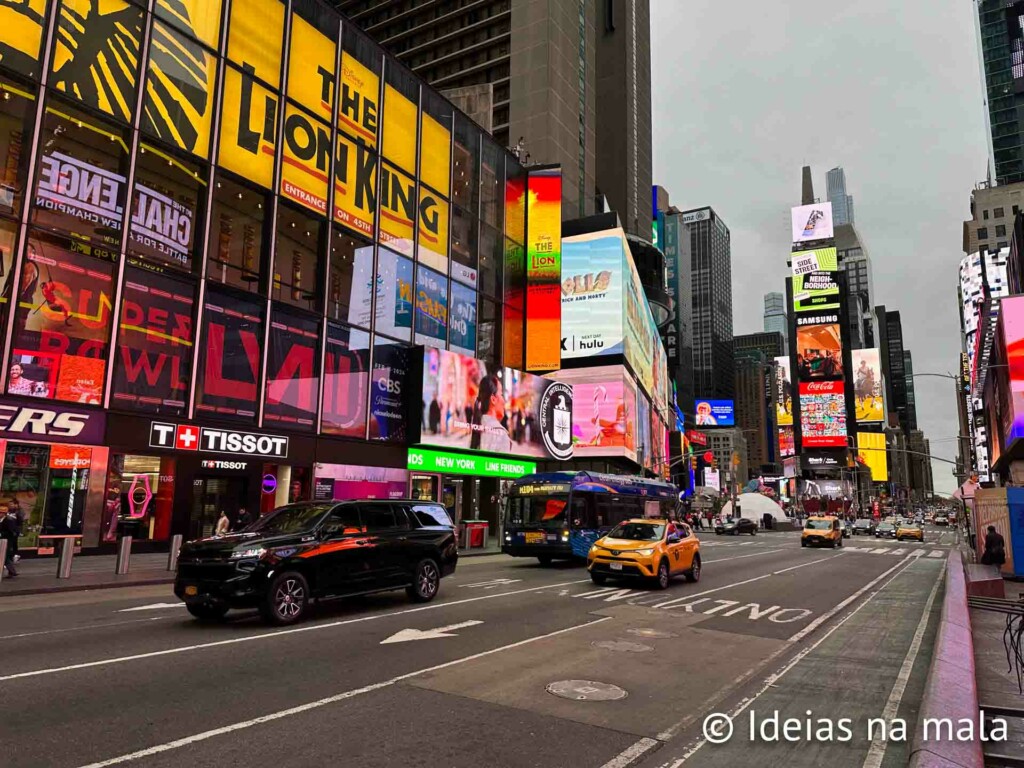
319 550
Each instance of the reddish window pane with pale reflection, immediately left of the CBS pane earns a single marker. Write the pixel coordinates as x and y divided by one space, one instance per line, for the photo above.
347 382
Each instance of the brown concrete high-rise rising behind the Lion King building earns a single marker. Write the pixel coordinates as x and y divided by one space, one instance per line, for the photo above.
541 72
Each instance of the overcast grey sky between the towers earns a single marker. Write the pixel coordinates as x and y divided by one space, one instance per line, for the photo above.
745 95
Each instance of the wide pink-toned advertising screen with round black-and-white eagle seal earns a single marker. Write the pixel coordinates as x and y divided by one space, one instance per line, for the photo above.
471 406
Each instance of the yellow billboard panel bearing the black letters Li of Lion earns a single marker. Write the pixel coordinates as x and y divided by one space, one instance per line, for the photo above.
248 129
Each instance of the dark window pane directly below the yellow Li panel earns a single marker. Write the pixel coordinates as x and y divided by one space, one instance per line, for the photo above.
237 236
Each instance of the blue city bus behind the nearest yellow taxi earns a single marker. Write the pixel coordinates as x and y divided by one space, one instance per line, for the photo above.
560 516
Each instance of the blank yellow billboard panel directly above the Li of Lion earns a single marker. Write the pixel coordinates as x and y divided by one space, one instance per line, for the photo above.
255 37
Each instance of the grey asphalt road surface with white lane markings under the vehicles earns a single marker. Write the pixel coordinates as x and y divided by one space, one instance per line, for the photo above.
526 672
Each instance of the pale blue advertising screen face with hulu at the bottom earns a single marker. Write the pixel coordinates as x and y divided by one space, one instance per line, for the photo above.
592 294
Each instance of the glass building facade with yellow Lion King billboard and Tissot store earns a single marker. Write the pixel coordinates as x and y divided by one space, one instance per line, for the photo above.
240 216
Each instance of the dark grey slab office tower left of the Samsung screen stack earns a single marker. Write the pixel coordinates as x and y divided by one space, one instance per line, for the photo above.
711 311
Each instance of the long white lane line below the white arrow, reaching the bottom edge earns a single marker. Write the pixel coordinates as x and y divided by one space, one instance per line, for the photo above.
188 741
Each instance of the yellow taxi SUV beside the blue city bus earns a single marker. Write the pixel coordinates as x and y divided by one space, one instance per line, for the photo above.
649 549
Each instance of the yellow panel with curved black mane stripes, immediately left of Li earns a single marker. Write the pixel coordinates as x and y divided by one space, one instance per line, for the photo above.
178 107
